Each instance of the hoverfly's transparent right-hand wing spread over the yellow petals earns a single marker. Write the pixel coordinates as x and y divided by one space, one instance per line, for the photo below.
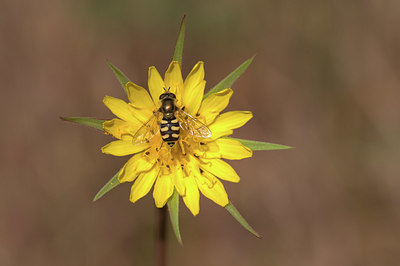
193 126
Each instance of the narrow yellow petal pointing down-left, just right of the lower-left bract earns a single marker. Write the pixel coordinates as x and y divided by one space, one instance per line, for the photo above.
143 184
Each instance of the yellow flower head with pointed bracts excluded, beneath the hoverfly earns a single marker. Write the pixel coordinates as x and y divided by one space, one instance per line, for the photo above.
193 164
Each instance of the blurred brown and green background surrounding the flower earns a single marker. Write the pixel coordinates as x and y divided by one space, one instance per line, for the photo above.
325 80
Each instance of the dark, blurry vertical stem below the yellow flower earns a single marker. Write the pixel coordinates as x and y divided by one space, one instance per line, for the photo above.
161 237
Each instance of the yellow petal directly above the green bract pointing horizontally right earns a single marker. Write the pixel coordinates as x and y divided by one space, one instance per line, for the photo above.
225 123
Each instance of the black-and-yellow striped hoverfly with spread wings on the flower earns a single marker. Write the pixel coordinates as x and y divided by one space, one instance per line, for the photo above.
169 119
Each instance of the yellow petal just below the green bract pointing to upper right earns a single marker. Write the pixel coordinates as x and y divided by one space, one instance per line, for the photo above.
214 104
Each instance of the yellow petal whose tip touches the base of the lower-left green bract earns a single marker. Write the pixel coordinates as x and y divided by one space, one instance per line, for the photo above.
133 167
